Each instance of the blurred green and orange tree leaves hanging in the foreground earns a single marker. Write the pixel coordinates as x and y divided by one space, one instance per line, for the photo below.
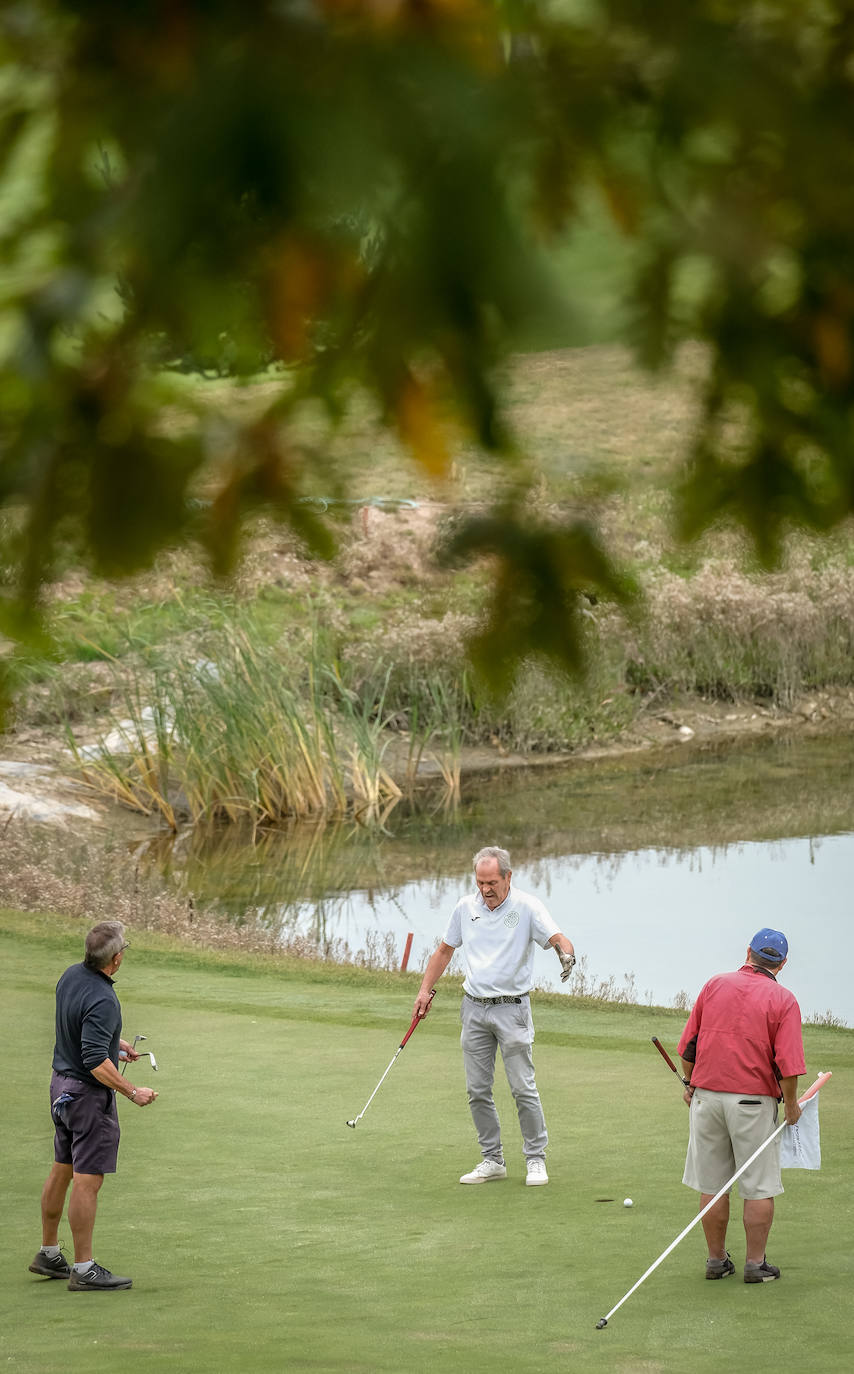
363 194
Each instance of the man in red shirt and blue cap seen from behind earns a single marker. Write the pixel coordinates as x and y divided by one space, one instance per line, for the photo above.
742 1055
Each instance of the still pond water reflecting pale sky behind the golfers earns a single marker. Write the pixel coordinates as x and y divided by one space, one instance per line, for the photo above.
660 869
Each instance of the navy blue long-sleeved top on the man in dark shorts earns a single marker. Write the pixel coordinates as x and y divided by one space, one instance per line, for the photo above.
89 1023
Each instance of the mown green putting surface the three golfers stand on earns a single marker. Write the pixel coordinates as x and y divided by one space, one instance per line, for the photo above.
263 1235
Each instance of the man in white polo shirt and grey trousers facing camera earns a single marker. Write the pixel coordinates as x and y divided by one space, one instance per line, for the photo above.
498 928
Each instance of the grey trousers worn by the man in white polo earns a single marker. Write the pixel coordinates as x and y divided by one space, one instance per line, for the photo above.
487 1028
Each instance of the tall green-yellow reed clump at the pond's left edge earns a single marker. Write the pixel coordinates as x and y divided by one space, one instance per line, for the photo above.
242 737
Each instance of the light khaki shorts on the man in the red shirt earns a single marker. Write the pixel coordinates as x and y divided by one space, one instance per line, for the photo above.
726 1130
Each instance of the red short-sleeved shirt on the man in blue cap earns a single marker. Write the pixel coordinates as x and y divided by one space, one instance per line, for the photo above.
745 1024
